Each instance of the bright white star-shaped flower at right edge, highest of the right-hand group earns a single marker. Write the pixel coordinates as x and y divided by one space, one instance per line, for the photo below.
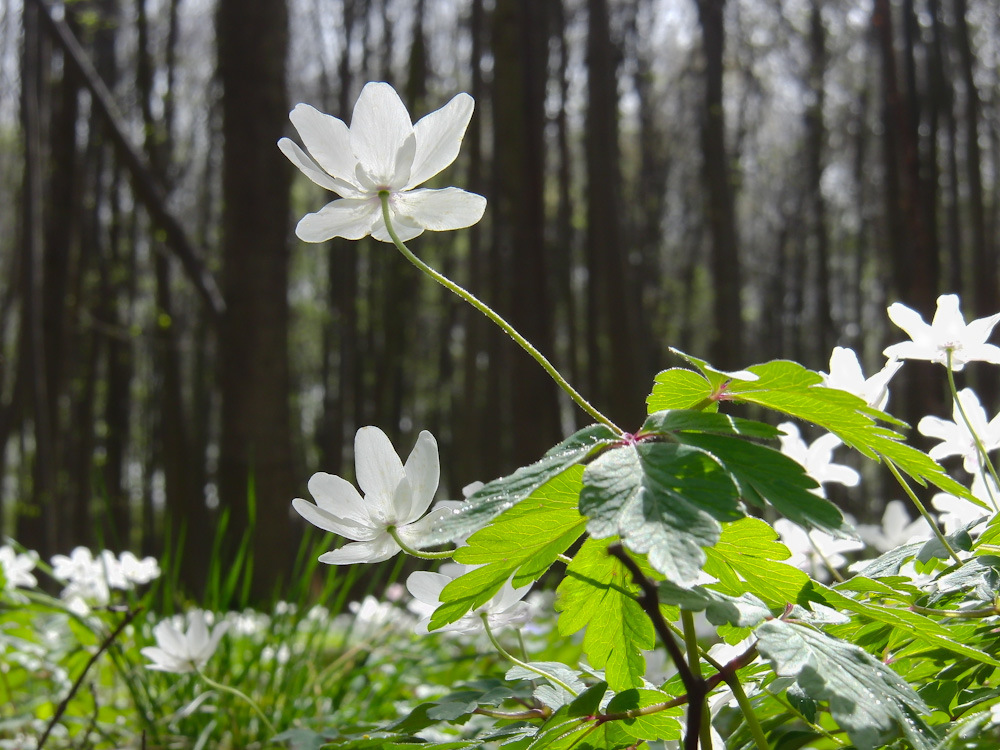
946 333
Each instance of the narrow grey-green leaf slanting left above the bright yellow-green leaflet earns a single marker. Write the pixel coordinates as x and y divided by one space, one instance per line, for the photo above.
495 497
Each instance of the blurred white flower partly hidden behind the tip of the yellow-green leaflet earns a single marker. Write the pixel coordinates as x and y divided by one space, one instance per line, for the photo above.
505 609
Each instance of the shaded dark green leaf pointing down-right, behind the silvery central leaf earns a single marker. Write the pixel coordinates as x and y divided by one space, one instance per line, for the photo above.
767 476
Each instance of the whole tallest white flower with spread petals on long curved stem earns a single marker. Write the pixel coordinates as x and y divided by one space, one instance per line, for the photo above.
382 151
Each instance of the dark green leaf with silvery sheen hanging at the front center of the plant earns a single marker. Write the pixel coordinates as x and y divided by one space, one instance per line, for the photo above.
663 499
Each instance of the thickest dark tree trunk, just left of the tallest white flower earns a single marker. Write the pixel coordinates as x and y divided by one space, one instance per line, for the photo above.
255 467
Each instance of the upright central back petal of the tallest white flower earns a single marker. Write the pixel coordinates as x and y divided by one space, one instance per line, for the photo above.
379 127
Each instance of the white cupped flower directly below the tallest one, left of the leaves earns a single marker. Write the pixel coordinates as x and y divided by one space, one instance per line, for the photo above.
396 498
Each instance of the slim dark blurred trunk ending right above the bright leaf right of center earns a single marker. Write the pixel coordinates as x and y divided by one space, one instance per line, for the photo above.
726 349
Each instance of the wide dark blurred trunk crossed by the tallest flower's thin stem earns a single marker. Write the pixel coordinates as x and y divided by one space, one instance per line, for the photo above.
520 42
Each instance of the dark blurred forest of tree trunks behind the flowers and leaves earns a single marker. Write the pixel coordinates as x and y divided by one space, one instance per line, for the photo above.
742 179
